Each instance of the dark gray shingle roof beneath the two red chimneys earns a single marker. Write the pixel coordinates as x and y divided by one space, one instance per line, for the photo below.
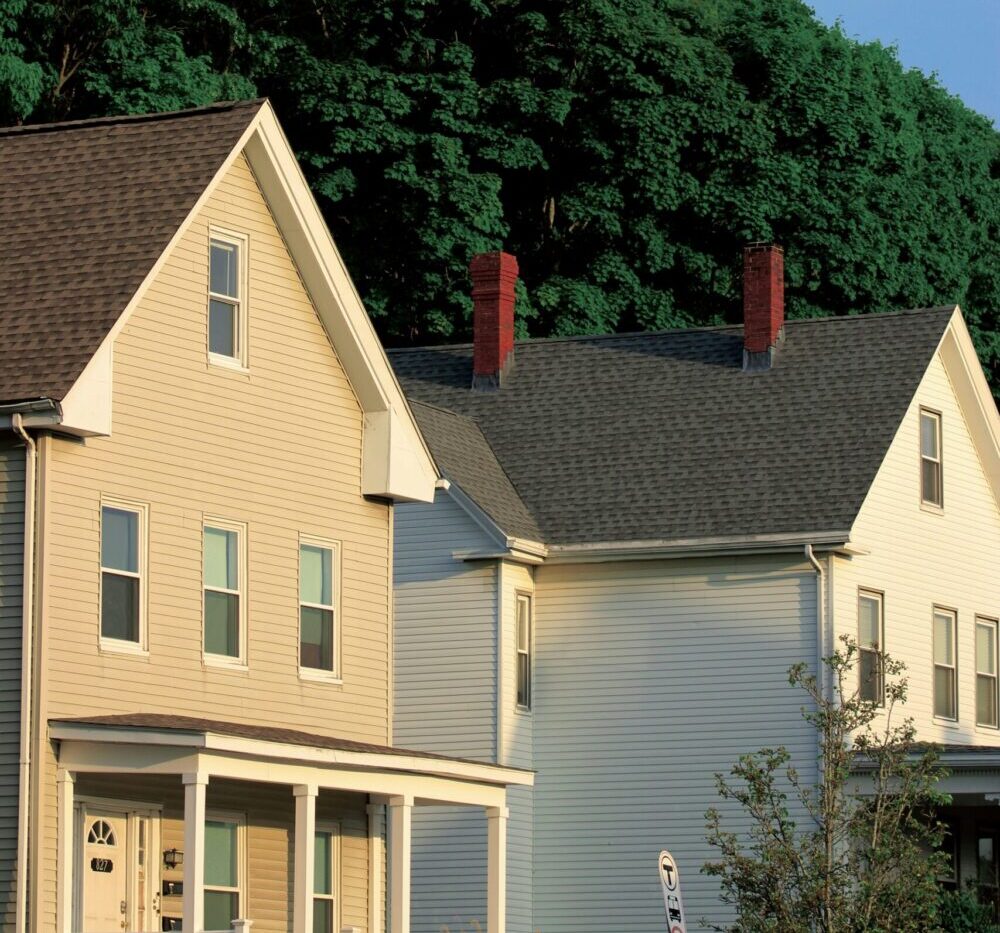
663 437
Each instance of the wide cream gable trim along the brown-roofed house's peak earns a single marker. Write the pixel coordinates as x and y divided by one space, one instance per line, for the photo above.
396 463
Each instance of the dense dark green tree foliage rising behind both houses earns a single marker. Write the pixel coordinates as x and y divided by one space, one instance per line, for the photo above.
623 149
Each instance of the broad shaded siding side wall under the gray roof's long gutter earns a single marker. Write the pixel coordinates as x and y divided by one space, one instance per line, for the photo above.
651 677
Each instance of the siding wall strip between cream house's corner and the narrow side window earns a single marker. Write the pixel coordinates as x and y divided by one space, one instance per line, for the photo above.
445 696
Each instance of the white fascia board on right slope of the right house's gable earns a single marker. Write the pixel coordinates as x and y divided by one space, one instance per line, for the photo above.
973 393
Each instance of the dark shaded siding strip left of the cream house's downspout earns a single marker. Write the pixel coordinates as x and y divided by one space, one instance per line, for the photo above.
11 586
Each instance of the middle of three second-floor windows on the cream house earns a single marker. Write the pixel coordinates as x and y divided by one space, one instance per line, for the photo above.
223 582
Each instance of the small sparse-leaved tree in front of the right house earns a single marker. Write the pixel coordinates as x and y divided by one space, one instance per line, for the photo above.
857 851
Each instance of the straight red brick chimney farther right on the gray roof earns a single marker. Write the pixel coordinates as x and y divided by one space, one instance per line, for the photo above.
763 304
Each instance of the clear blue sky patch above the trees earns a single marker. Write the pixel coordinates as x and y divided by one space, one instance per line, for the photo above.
958 39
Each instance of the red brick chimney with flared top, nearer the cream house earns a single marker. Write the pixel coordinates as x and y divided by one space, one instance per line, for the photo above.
493 278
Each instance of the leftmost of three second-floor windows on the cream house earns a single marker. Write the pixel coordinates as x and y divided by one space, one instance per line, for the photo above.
123 531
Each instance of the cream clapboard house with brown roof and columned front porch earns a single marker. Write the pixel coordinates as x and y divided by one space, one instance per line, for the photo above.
201 447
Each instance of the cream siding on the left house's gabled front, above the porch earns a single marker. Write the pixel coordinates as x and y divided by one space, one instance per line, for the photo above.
277 447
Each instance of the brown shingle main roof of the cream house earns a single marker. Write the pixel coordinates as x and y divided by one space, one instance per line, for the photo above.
86 208
